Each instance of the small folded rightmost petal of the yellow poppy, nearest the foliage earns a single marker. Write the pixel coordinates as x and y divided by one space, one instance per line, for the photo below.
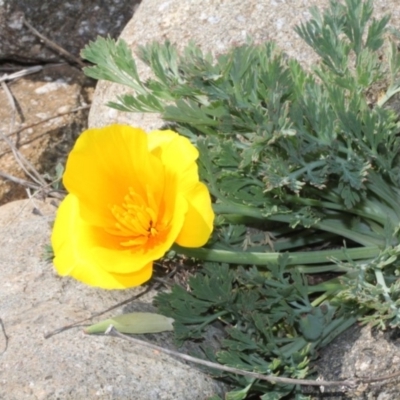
199 218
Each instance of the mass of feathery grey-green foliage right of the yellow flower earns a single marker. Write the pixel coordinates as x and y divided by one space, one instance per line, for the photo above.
304 168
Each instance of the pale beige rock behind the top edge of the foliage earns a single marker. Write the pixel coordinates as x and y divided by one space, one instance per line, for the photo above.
215 26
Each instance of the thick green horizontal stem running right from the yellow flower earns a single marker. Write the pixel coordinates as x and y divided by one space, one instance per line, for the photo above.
295 258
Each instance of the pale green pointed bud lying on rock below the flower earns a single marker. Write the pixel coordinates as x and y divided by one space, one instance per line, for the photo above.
134 323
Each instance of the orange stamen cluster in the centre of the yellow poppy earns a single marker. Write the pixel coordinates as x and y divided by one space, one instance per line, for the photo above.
136 219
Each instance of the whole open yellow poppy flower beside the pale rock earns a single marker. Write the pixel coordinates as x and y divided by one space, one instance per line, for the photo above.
131 196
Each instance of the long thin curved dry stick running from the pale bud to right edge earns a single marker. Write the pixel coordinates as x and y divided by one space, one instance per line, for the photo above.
350 383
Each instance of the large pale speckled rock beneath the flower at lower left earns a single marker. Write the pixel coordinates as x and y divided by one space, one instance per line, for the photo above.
71 365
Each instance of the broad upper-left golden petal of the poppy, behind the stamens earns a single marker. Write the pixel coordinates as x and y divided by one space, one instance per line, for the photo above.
104 164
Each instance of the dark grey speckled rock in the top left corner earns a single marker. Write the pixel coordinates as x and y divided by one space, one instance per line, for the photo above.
71 24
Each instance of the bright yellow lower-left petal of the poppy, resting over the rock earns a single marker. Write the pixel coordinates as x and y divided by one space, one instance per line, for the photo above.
75 242
